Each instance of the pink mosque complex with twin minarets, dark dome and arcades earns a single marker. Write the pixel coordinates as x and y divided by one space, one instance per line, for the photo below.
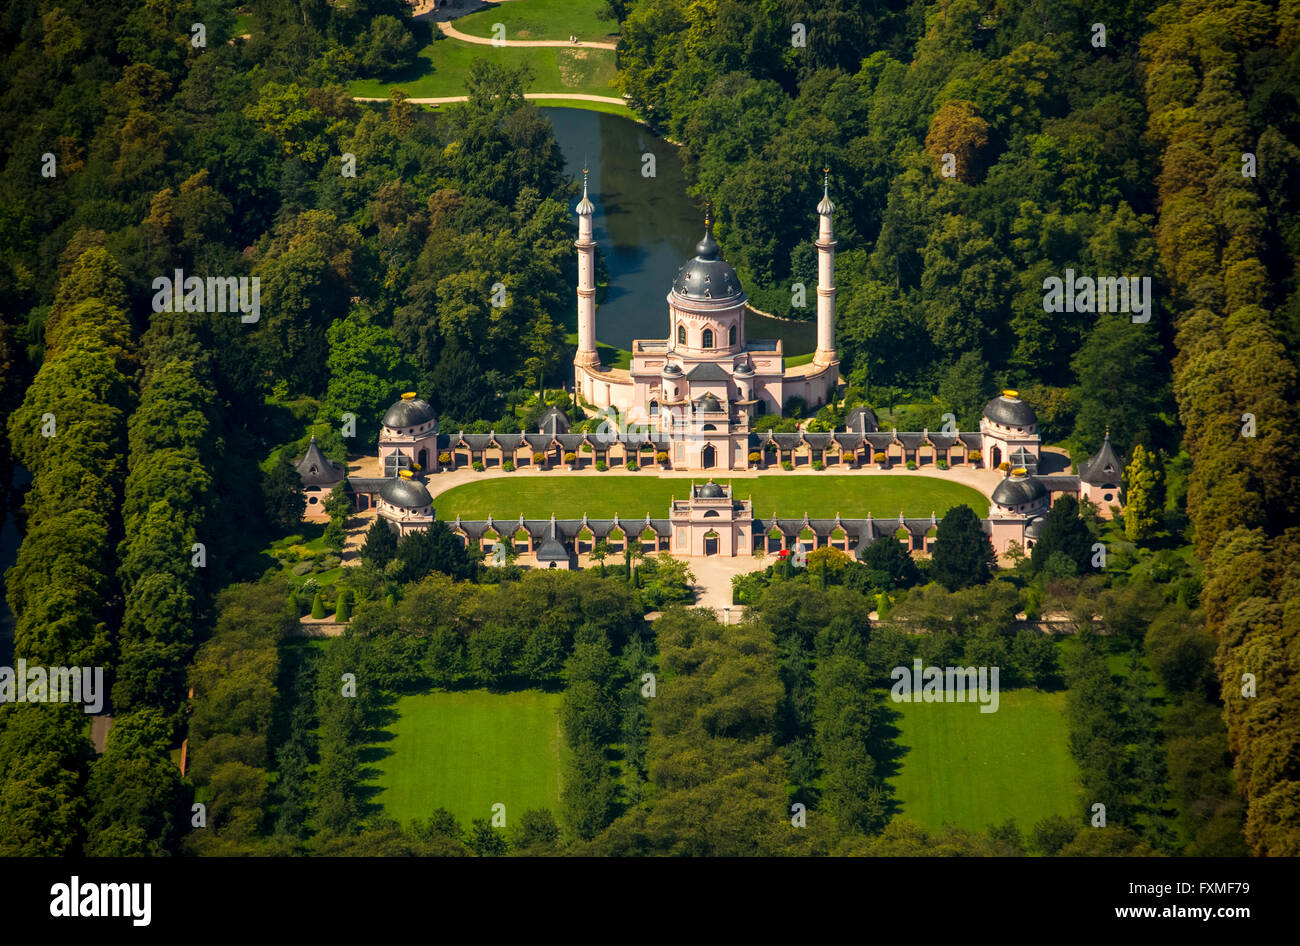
692 400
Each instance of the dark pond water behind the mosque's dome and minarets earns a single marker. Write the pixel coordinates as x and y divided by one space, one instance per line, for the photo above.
645 227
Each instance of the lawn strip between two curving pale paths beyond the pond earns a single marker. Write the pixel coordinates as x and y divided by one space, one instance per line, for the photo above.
445 63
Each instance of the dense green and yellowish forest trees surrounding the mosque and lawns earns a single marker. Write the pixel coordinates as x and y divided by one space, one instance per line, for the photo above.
976 150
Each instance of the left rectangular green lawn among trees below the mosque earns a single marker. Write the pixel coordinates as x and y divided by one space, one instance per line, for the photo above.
467 752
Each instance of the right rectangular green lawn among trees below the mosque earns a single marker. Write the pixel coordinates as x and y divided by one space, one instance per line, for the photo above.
977 770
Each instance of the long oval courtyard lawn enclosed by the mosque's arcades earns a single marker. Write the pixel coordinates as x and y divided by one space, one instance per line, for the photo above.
632 496
